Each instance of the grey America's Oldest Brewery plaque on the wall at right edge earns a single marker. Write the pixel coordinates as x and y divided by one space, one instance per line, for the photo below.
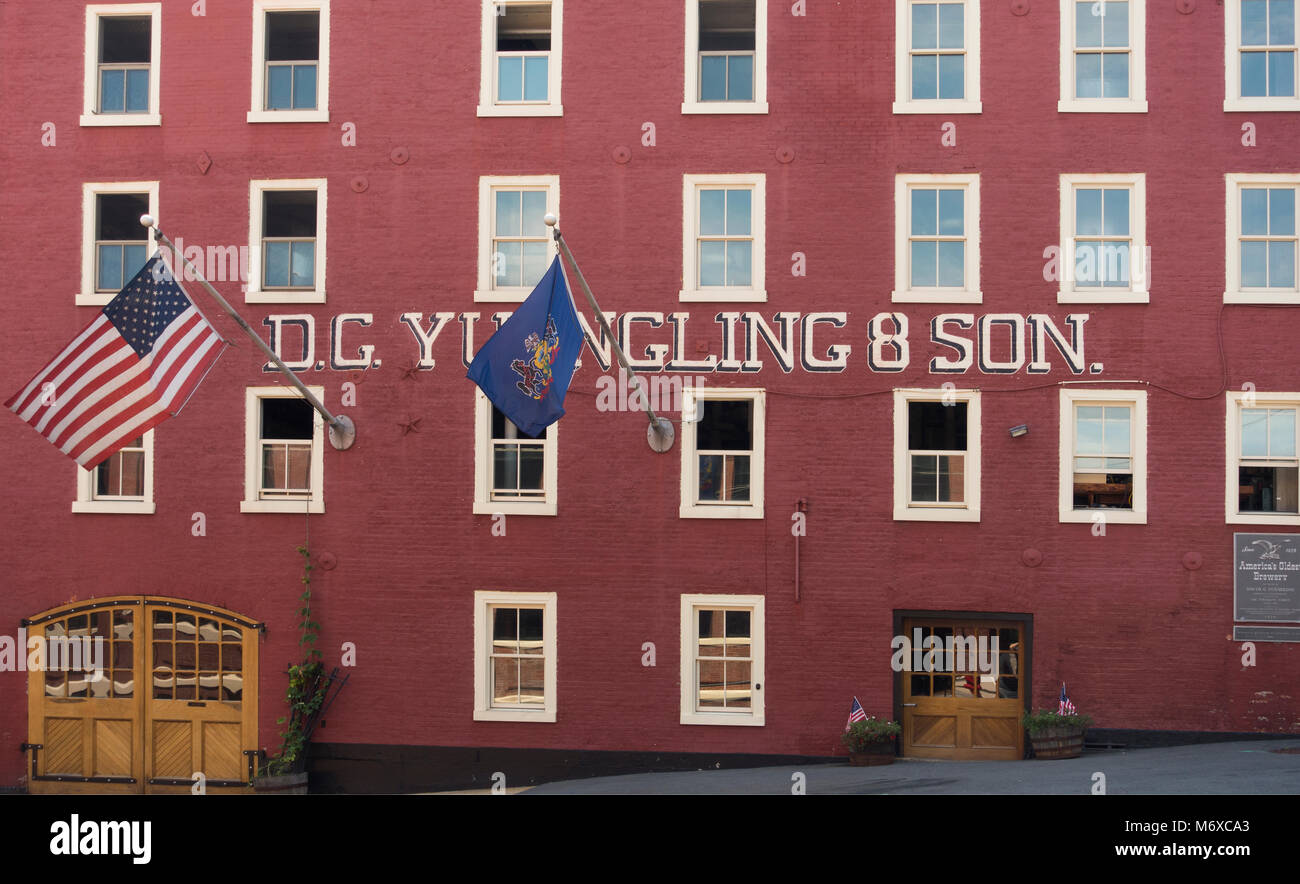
1267 578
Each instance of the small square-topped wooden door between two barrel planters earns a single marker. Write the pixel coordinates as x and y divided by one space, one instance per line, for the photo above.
960 705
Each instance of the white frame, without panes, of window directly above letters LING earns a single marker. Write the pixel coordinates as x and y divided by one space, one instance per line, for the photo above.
691 291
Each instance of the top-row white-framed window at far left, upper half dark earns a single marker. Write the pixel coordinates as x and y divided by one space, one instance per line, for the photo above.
123 50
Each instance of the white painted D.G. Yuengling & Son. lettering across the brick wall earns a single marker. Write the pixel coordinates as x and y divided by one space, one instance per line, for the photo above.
743 343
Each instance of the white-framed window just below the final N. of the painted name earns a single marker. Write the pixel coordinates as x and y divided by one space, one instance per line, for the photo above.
1104 456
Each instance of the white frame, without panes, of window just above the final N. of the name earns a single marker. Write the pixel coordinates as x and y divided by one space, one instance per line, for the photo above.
1139 272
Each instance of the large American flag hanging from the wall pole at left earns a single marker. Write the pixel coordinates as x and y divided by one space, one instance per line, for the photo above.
131 370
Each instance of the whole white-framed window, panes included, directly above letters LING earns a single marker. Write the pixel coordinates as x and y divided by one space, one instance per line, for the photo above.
723 249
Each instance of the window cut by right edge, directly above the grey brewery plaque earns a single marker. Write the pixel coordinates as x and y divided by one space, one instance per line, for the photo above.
1263 466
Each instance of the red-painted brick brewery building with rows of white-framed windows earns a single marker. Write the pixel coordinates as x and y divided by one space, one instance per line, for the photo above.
869 239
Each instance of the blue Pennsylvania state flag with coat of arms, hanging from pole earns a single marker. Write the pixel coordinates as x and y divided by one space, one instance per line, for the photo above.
527 366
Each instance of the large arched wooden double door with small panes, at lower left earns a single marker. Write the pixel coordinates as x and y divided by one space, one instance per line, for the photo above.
141 694
